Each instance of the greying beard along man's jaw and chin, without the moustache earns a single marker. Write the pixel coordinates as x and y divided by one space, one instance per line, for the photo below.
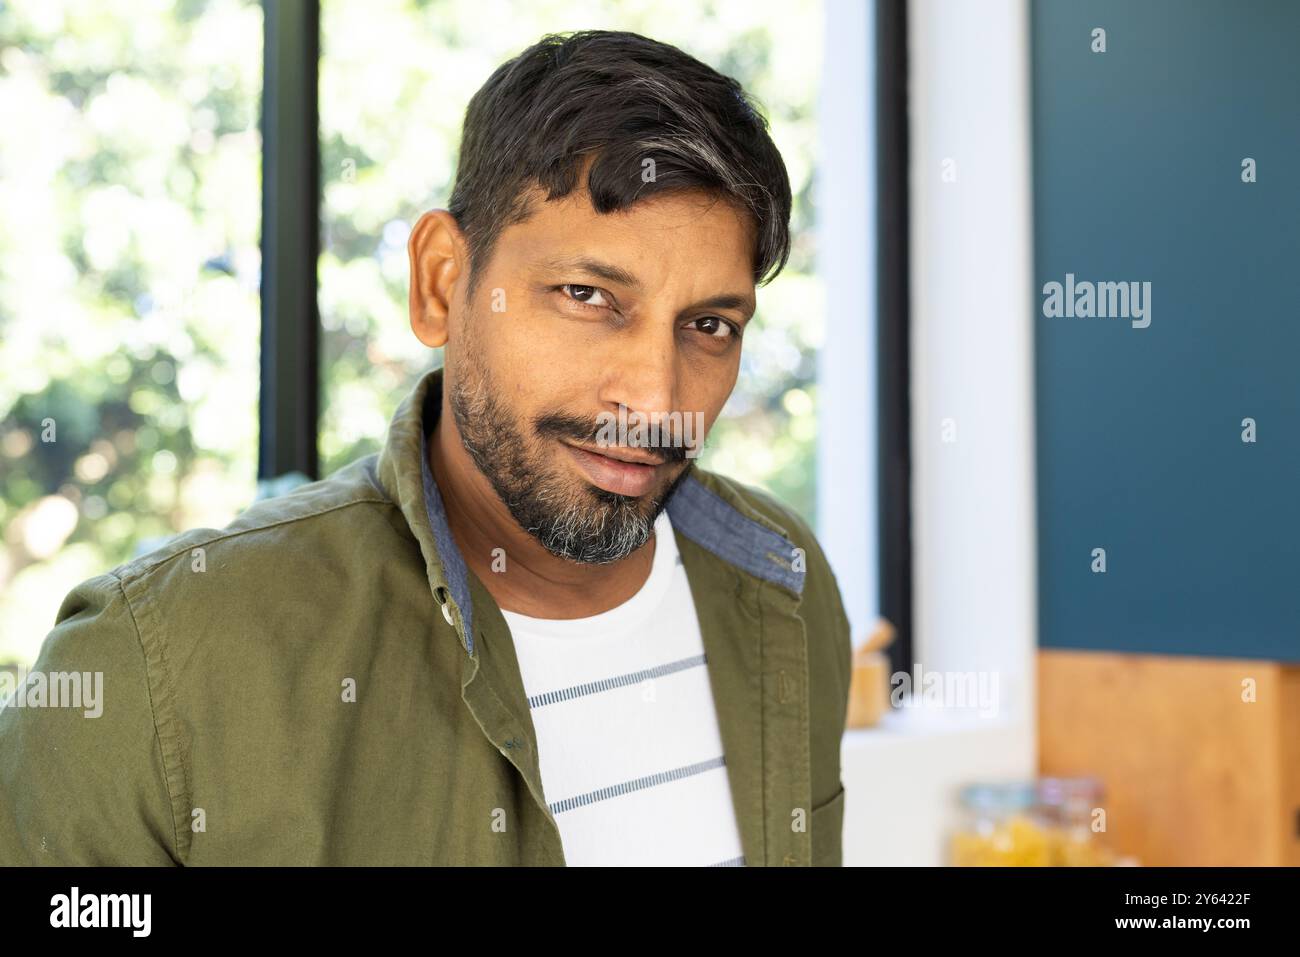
592 527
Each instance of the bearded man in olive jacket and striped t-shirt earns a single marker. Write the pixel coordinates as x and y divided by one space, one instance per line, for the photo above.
517 636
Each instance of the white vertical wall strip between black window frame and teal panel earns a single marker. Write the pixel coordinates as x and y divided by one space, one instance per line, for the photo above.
973 347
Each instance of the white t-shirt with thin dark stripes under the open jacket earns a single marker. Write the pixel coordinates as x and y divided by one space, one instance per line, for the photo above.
631 754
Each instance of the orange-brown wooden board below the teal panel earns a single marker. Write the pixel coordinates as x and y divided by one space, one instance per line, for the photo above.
1194 774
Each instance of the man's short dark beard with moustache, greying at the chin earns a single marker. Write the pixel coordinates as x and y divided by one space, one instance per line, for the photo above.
570 518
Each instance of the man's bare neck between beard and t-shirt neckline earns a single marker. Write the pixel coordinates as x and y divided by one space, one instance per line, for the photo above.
523 577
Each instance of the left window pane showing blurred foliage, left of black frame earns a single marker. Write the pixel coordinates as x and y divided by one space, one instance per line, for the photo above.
129 263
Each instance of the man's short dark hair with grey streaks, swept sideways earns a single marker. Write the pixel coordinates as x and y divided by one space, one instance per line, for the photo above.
618 98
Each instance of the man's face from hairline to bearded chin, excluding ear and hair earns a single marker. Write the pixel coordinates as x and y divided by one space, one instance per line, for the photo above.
579 314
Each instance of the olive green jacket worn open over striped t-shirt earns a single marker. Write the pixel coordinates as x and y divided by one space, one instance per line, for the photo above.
323 682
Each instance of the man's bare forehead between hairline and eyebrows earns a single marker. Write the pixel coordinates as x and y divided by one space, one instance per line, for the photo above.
666 236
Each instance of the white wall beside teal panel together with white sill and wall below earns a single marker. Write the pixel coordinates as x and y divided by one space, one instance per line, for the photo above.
973 500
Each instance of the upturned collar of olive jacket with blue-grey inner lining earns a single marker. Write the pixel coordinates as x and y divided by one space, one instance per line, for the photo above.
704 509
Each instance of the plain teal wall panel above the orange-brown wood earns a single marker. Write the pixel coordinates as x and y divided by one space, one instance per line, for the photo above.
1138 177
